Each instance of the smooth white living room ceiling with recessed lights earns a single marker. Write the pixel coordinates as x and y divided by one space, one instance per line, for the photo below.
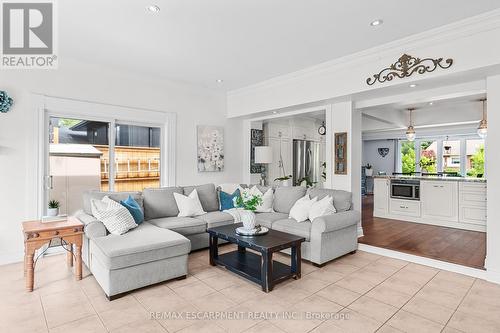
240 41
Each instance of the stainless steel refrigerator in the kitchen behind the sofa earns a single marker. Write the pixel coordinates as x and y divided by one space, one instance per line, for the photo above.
306 163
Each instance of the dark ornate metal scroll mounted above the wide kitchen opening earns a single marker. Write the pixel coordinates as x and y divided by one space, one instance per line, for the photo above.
406 66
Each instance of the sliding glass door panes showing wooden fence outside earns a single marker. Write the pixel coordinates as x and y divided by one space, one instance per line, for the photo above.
97 155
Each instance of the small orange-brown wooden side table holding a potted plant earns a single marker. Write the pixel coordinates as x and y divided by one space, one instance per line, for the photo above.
37 234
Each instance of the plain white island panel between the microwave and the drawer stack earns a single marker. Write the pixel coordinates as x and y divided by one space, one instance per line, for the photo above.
439 200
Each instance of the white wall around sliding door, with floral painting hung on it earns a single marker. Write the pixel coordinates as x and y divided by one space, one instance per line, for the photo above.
84 82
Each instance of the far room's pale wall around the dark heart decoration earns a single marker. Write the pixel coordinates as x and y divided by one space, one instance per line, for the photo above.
371 155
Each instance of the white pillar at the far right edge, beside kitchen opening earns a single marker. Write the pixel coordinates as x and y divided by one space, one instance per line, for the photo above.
493 139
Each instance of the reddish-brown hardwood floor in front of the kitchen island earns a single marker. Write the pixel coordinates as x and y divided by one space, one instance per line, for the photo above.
457 246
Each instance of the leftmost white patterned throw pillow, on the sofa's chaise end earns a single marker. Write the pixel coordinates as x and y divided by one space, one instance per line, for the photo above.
115 217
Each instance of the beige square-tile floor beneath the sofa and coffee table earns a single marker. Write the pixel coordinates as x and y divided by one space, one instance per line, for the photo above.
357 293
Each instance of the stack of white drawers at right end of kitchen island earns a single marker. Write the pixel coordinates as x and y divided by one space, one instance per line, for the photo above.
472 200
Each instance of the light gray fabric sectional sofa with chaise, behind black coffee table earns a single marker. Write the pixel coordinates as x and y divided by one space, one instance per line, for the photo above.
157 249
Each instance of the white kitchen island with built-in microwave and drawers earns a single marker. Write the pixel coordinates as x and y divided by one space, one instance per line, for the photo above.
456 202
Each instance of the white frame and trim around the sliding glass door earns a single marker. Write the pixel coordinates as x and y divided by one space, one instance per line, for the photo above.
48 107
